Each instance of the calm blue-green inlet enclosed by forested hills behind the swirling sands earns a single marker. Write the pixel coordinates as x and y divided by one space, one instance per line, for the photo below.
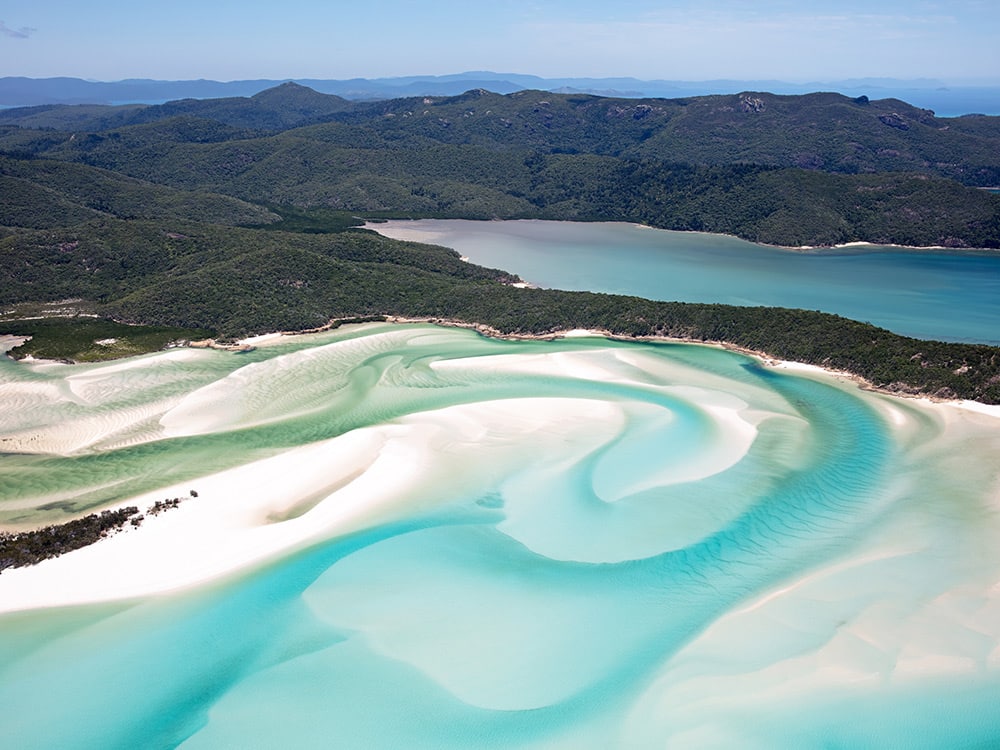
942 295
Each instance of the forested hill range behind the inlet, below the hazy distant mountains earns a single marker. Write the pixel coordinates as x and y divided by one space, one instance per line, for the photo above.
819 169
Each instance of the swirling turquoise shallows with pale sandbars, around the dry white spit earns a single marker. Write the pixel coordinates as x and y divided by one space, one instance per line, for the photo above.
601 544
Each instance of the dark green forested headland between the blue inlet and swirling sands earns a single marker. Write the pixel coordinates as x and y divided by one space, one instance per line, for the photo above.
241 282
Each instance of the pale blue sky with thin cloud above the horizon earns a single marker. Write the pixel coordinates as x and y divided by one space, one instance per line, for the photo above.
955 41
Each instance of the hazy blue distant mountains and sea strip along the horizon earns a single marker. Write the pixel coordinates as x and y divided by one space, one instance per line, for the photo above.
945 100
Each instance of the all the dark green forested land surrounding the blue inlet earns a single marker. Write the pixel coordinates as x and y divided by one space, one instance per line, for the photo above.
237 216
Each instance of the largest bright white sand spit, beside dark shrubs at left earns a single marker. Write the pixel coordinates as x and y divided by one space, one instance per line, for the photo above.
248 515
